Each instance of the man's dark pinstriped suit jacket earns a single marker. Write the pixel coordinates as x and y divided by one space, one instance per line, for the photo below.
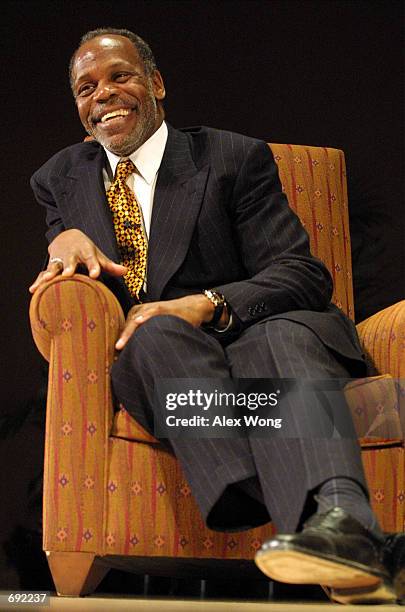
219 220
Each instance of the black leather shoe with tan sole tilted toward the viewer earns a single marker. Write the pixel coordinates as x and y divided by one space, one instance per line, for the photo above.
335 551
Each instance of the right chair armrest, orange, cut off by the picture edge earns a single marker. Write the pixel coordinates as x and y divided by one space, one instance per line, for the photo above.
382 337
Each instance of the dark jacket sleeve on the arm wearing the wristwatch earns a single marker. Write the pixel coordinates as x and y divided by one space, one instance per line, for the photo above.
282 275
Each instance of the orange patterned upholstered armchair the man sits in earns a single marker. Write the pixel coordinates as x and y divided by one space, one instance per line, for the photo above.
111 491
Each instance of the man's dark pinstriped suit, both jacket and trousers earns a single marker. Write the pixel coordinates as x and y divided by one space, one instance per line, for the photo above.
220 220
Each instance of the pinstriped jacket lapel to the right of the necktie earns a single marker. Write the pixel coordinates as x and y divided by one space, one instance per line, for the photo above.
177 202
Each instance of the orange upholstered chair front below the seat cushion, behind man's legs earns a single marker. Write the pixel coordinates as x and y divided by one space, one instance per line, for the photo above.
150 510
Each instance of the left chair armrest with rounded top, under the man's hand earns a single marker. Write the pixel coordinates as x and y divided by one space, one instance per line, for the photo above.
75 323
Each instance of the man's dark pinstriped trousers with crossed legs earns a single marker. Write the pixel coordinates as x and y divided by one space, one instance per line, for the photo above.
287 469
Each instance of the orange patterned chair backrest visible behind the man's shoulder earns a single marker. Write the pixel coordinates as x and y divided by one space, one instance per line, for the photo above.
314 180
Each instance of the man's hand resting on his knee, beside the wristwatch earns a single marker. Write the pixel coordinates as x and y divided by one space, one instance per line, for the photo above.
195 309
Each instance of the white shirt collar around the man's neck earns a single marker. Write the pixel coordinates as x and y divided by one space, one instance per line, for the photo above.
148 157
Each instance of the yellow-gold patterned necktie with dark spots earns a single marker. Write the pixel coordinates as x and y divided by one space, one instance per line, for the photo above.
129 230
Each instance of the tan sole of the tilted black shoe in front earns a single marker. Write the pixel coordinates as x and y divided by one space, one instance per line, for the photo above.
300 567
